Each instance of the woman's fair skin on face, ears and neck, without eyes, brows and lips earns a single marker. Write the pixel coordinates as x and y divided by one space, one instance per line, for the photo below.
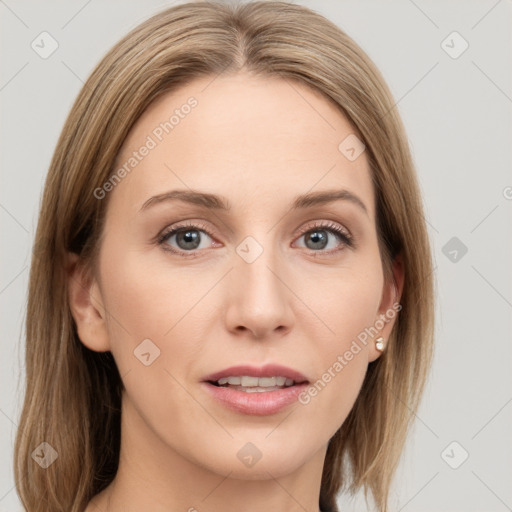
259 143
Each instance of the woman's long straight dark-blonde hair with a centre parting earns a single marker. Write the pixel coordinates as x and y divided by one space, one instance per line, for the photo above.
73 395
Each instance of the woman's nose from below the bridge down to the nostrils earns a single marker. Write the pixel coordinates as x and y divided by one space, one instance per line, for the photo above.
259 297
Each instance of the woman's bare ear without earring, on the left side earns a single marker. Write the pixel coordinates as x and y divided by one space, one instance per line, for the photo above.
86 306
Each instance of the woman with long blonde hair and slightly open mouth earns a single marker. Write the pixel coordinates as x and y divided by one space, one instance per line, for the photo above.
231 304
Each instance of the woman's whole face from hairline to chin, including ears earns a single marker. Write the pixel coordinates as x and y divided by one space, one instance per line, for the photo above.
264 273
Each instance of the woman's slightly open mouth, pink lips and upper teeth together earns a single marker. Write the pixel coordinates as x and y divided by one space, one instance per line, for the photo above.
256 391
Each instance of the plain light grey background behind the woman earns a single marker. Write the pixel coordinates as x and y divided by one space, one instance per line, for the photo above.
457 112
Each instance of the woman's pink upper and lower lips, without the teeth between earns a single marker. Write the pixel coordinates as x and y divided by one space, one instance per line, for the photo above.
258 403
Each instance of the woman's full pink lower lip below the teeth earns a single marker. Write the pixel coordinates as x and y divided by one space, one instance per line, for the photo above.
257 404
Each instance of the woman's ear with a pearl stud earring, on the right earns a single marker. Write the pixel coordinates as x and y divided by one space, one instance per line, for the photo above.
389 307
